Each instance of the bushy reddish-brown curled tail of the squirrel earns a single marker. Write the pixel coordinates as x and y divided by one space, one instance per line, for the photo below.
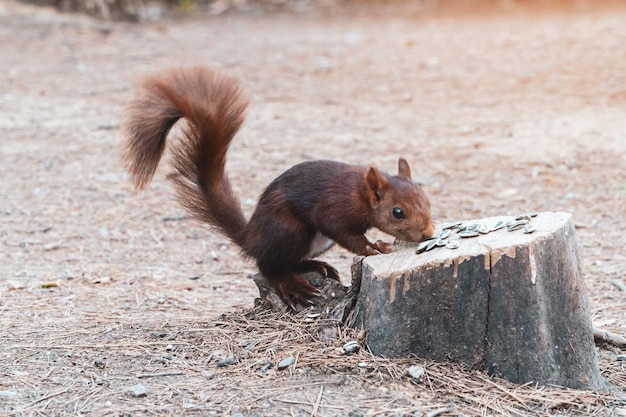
213 106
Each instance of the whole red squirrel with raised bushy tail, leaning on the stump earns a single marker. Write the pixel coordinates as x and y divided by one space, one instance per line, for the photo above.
299 215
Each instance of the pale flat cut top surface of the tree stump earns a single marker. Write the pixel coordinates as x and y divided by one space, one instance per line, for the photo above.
495 243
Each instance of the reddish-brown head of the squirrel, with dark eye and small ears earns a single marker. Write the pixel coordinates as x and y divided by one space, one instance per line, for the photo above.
398 205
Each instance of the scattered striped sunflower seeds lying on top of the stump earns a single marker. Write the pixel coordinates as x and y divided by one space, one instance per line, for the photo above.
468 230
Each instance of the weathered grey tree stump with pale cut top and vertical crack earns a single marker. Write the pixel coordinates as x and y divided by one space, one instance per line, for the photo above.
509 302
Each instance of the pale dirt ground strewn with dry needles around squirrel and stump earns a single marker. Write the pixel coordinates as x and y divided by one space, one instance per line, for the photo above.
499 109
